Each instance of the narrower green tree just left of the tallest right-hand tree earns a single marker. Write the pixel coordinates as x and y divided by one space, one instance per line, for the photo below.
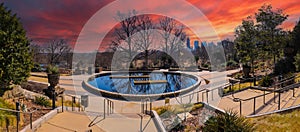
246 42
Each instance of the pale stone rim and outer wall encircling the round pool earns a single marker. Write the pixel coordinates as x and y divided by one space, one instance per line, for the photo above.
135 97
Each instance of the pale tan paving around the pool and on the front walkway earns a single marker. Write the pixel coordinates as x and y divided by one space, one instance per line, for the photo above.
125 117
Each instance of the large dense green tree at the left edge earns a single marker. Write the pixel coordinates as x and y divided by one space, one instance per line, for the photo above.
15 56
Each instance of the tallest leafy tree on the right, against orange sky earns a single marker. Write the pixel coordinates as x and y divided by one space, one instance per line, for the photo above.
271 35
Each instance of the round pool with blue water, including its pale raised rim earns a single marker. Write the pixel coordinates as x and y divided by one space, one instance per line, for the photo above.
141 85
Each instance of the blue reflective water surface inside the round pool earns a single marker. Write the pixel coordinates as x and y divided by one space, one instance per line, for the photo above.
175 82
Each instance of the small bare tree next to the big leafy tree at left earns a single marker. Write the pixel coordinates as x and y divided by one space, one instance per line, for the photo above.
57 50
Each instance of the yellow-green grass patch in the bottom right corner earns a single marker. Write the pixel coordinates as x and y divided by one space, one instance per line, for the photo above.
278 122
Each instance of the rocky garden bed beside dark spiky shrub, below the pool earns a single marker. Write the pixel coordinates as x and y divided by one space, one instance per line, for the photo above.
187 117
